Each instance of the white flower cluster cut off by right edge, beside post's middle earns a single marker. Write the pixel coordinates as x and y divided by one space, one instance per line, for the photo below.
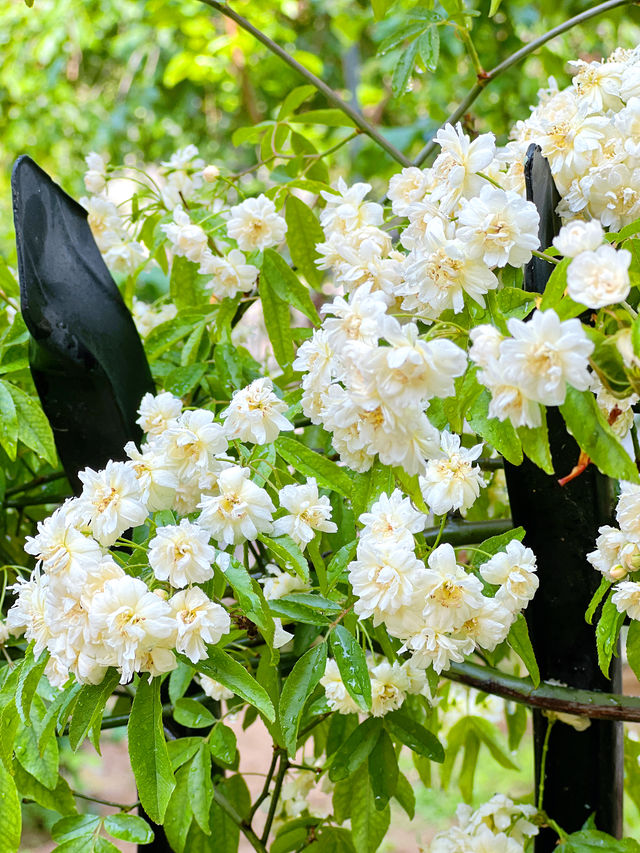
617 551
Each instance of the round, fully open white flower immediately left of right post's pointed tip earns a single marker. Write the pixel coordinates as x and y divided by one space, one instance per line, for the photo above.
499 227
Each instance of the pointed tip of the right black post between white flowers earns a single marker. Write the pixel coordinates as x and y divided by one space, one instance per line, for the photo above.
542 191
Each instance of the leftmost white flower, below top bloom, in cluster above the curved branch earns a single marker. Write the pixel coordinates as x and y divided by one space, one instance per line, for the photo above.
383 578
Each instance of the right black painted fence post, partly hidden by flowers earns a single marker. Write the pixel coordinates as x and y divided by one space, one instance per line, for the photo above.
583 769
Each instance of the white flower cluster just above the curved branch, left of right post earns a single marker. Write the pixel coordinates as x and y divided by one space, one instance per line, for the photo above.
440 611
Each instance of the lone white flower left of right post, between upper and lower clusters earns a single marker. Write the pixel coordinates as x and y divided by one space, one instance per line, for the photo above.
452 482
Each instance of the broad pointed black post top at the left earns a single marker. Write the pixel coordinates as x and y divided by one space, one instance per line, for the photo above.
87 359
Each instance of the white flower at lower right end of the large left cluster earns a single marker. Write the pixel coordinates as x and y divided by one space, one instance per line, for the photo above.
199 620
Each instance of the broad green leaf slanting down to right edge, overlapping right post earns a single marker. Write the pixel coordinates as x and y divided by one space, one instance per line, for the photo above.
588 426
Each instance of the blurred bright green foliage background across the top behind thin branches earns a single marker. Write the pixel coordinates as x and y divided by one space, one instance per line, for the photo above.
139 80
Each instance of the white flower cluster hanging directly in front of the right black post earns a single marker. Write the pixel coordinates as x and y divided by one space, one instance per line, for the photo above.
532 366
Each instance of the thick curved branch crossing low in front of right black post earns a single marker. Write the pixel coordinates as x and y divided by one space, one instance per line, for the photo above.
550 697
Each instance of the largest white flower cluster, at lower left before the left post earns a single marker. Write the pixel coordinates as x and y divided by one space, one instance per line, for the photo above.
81 604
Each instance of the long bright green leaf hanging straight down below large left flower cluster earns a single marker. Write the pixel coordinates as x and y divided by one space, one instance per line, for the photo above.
148 750
